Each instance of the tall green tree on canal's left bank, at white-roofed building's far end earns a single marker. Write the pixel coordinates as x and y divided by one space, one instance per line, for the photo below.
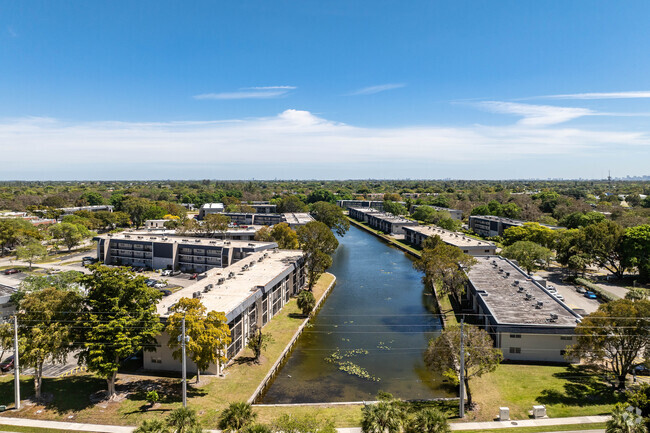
317 243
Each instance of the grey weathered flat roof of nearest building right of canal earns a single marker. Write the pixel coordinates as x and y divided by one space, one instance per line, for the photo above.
504 287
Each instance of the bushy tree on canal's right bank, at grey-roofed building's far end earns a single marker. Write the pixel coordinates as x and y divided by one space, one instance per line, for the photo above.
444 266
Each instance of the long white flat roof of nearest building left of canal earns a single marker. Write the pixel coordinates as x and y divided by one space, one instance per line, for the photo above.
239 291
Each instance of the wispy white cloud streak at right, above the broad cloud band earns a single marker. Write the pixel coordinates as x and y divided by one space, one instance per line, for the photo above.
537 115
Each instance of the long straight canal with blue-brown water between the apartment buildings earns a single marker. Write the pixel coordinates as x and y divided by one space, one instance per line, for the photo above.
370 334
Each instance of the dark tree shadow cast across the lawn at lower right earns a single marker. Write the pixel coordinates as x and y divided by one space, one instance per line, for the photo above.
582 388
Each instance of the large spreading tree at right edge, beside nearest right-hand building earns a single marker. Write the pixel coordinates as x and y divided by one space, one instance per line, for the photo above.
614 336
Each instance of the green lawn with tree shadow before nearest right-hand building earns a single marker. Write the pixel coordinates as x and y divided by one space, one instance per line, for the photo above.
565 390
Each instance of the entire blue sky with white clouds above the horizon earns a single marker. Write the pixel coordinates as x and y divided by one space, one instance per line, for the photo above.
313 89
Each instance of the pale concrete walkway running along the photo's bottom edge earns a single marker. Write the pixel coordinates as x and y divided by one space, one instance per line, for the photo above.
546 422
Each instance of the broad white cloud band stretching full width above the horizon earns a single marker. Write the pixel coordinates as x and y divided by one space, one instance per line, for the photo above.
293 137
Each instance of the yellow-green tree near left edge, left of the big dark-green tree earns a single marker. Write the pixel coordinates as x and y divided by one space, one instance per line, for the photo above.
46 331
